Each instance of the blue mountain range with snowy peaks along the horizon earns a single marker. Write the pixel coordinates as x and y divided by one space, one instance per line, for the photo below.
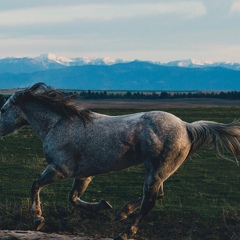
116 74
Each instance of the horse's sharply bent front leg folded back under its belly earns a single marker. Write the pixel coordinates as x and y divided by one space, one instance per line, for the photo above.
78 188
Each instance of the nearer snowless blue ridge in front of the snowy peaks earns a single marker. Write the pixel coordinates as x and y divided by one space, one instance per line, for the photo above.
135 75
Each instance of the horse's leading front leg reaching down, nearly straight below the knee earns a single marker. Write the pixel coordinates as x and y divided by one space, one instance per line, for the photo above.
50 174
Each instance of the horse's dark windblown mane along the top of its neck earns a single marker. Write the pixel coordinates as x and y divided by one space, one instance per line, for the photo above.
56 101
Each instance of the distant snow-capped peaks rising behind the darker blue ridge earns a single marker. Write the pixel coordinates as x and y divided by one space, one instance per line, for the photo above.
51 61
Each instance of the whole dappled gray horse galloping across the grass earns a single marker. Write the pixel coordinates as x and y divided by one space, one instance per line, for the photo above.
80 144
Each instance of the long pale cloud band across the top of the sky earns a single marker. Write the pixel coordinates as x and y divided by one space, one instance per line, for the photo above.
98 12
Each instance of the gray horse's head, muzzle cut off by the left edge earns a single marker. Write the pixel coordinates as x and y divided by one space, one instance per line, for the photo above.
11 115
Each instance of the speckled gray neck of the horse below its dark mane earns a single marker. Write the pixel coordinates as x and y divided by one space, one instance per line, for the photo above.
41 119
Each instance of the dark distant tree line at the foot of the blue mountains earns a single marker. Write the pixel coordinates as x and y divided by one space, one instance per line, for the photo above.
233 95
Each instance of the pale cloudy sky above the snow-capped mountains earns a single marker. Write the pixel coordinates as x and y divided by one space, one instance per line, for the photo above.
154 30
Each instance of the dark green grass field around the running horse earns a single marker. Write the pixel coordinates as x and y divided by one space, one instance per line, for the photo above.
201 199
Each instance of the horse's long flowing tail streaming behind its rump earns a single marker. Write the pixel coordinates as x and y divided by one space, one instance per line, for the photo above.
220 136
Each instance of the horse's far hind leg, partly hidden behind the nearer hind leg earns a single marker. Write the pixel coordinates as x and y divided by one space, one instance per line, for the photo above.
132 206
